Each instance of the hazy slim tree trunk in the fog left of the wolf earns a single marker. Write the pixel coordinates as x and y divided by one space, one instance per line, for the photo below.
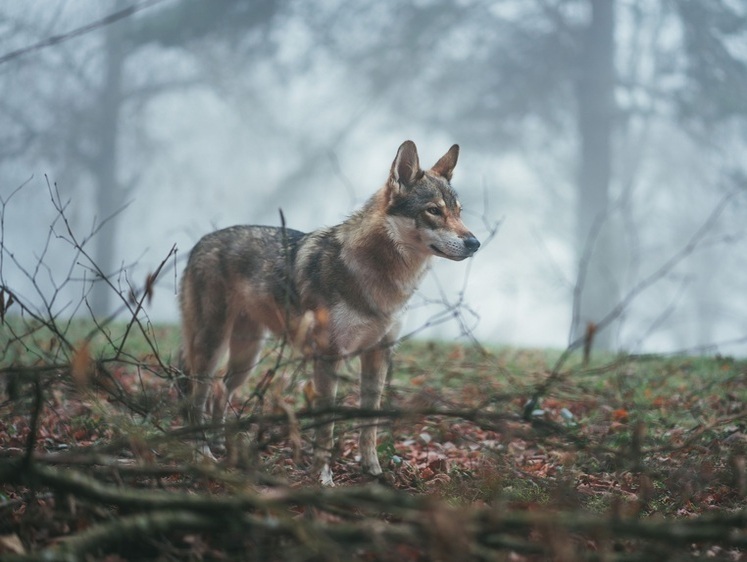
109 197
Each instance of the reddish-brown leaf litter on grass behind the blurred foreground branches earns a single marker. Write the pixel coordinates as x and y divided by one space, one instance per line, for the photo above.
627 438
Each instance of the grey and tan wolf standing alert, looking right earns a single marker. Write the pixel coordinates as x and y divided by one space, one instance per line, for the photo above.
336 292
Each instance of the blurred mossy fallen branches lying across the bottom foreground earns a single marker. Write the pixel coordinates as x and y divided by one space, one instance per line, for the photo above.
417 521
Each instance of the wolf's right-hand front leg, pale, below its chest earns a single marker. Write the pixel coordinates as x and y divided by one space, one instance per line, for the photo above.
374 366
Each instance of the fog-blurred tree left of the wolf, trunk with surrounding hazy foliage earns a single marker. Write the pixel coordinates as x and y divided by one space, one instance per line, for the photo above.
89 113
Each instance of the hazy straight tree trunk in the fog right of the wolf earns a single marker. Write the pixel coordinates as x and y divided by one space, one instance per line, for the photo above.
597 289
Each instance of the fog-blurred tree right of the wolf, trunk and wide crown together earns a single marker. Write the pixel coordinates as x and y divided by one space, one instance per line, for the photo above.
554 75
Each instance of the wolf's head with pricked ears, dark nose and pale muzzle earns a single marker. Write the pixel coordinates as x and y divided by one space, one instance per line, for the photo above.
423 211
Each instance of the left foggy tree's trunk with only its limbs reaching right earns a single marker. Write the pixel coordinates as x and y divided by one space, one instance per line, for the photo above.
176 25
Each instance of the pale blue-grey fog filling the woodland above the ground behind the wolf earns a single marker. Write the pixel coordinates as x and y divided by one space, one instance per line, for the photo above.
602 152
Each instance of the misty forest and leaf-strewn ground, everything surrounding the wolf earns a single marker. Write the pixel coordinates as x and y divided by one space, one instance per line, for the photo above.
602 167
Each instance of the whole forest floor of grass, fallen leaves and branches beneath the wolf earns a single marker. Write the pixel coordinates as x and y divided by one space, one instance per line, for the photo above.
626 458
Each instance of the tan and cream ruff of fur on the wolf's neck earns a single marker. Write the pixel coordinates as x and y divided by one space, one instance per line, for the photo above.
376 252
